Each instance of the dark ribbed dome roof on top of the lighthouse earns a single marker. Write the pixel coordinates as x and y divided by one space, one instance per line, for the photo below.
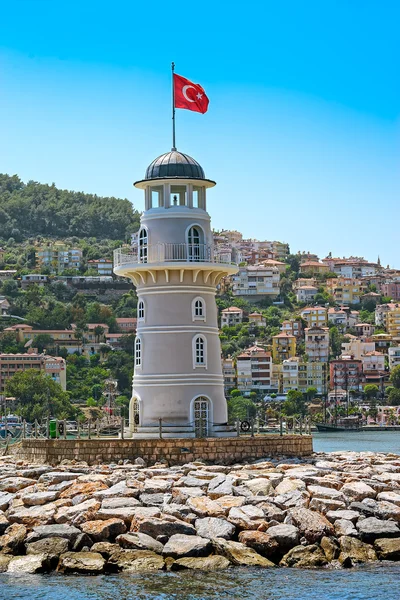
174 164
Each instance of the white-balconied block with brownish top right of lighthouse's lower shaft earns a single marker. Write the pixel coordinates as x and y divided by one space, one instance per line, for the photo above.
254 367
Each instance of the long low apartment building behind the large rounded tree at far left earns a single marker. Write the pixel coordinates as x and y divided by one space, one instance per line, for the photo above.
10 364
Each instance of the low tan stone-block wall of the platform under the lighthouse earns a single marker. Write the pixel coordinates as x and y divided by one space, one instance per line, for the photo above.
175 451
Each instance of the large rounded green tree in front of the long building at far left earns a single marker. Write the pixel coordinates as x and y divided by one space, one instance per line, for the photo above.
38 395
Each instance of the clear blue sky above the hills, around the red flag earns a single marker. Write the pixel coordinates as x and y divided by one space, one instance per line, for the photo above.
302 132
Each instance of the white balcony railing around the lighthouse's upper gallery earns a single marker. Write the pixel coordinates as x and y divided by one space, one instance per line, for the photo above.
160 253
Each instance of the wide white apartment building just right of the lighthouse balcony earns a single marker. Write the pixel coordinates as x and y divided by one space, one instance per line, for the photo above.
256 282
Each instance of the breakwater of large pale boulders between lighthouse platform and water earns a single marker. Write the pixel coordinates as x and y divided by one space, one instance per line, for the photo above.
340 509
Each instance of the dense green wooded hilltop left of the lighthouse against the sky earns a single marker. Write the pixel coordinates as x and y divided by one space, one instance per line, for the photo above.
32 209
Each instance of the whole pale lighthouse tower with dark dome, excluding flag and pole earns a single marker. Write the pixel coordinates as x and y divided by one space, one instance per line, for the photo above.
177 382
